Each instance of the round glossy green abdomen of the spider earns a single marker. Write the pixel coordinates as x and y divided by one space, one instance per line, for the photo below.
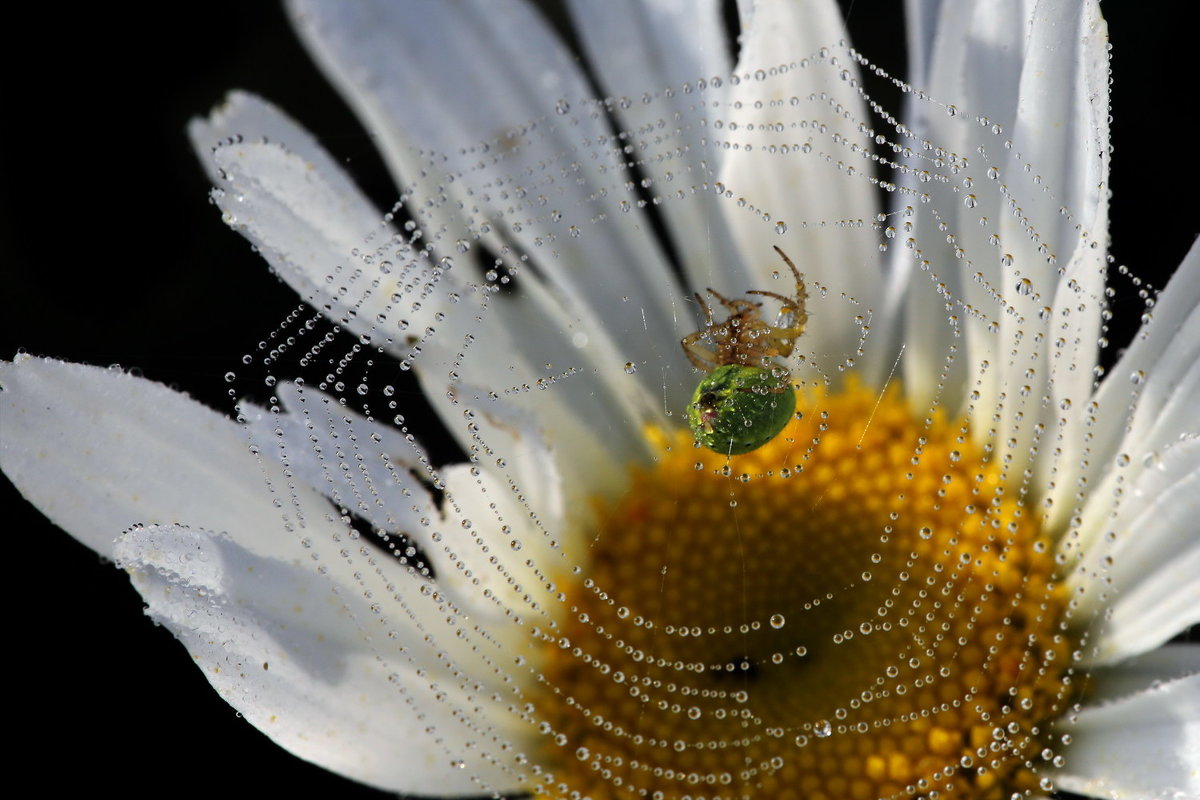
736 408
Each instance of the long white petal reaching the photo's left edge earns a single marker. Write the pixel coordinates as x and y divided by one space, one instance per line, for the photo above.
99 452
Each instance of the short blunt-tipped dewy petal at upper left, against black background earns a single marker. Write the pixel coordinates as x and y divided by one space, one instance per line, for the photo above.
279 189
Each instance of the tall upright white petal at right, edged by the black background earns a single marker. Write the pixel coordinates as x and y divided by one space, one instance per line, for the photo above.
1063 133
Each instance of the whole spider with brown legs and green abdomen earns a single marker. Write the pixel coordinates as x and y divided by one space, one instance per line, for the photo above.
747 399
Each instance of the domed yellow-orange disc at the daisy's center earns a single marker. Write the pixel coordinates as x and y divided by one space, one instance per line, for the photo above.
859 610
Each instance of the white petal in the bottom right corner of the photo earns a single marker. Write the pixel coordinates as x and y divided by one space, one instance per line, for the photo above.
1145 745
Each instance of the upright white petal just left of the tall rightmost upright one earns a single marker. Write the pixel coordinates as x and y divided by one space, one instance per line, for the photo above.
969 59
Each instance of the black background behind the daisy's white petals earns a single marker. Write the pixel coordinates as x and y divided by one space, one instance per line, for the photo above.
112 255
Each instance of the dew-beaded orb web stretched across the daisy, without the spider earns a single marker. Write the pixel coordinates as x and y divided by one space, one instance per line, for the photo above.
892 600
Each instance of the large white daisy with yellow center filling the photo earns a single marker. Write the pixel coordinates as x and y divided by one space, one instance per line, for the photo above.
955 573
